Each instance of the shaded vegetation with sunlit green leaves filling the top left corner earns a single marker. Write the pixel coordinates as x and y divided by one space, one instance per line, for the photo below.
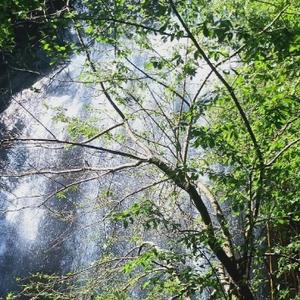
21 60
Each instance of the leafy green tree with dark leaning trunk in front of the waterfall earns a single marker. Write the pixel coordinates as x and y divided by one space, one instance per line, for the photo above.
236 126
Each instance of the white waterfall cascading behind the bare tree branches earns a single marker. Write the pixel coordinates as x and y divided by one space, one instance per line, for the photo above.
41 231
